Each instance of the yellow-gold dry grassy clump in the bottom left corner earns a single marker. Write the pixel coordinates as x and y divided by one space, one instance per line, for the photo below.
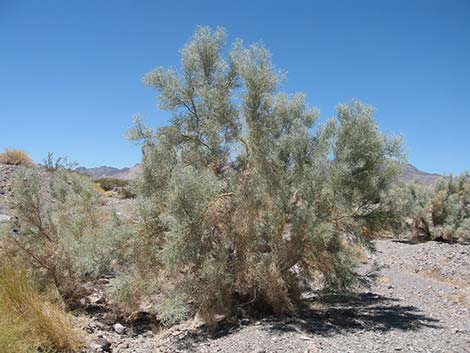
28 321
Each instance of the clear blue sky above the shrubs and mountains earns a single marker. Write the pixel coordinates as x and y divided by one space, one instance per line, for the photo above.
71 70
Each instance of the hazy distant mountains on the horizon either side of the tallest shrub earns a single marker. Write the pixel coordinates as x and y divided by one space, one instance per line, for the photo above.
409 174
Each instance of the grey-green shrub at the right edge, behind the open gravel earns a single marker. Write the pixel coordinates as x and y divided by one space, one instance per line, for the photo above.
440 212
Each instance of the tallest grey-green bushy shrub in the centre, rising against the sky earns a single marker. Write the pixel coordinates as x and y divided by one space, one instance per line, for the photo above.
246 199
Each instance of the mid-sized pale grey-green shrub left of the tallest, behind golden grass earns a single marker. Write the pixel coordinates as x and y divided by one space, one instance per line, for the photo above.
62 231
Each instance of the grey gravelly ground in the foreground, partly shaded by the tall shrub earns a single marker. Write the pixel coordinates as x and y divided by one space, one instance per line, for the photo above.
420 303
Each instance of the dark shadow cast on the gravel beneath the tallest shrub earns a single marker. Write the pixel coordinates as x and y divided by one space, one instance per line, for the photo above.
336 315
